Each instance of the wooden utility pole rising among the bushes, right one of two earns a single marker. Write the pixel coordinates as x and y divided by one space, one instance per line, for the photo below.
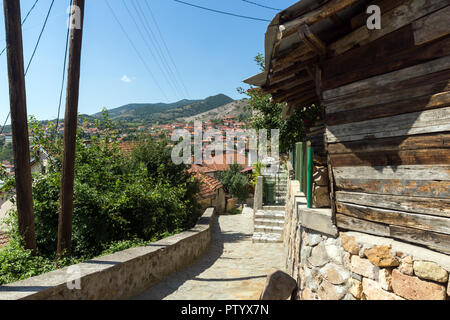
70 130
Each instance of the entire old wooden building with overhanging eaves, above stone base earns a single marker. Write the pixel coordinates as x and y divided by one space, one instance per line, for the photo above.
386 96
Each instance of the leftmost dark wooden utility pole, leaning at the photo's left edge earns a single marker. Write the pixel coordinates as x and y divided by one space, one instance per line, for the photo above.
19 122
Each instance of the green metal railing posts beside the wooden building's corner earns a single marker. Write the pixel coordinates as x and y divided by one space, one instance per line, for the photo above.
302 157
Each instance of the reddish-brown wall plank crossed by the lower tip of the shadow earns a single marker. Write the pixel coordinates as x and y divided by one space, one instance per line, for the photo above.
385 158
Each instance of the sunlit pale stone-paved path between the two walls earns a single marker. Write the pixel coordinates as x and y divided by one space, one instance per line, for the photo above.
233 268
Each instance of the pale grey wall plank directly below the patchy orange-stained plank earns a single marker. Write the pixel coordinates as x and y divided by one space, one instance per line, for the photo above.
427 206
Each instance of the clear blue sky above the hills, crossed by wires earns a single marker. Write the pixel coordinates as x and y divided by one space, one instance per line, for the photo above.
212 52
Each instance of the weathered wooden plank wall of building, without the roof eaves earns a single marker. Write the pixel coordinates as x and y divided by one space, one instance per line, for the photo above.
387 100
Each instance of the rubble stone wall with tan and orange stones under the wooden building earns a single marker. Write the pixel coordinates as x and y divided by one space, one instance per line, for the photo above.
331 265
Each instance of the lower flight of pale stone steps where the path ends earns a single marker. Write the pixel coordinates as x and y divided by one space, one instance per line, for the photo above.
269 225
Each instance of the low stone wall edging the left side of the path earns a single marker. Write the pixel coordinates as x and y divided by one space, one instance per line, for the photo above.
120 275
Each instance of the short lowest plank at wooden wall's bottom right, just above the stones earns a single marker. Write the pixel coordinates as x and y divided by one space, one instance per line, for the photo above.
433 240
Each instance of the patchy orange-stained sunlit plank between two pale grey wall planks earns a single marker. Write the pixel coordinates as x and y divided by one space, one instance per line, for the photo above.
399 187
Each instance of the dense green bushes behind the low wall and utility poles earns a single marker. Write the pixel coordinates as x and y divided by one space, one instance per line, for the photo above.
120 200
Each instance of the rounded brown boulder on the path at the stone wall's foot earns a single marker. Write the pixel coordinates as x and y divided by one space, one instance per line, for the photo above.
279 286
